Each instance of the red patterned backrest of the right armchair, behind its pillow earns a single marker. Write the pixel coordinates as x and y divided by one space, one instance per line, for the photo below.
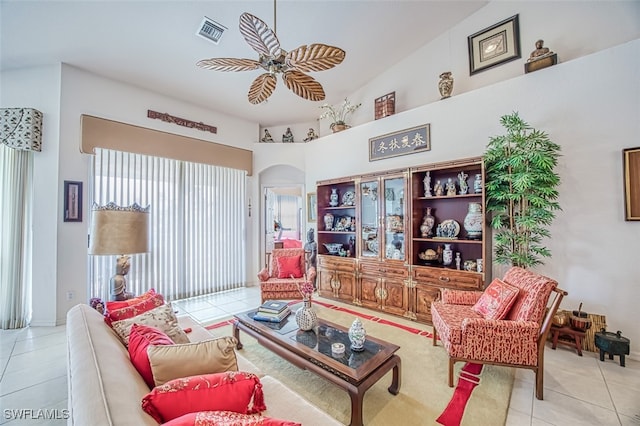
534 294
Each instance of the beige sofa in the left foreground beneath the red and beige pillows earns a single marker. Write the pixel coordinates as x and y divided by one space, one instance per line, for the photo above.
105 388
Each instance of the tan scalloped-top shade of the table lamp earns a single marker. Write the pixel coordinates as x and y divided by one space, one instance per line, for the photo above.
119 230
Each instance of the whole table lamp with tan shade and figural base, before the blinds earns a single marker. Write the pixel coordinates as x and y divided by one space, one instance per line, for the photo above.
117 230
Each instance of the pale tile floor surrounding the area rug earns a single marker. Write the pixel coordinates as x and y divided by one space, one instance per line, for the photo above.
578 390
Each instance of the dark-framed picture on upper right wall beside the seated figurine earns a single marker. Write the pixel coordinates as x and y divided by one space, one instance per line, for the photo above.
495 45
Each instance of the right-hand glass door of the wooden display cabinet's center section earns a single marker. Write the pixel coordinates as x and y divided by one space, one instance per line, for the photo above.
393 204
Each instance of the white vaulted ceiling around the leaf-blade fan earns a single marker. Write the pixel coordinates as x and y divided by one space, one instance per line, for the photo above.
153 44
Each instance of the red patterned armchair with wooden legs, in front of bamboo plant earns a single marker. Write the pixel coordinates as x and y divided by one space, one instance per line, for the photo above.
506 325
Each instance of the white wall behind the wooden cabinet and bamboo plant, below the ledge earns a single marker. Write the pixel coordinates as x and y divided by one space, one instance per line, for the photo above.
590 107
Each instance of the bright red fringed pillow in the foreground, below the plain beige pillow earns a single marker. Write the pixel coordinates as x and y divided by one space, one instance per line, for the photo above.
230 391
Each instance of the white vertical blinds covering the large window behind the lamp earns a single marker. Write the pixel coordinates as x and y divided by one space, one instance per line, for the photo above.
197 224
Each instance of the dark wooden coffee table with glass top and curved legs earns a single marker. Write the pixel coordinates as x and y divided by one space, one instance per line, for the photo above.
354 372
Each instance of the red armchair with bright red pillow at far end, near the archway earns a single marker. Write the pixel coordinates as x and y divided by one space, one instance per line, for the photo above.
275 279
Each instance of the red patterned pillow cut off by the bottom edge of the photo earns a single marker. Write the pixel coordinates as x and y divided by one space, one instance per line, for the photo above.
227 418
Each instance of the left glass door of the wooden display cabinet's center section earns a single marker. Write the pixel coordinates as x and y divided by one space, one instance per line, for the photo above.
369 218
